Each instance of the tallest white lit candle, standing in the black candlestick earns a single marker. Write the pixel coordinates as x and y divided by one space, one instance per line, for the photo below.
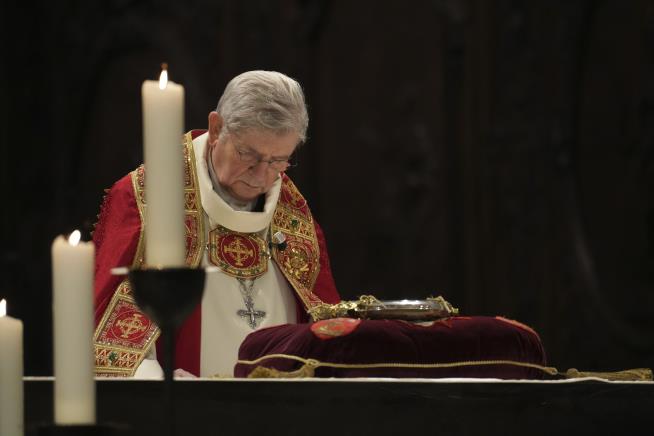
163 127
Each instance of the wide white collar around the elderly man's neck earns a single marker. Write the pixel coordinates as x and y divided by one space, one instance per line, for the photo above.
218 210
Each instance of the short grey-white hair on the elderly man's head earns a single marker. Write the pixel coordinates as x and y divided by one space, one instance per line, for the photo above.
264 100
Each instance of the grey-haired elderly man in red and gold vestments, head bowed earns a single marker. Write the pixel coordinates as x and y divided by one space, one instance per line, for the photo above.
243 215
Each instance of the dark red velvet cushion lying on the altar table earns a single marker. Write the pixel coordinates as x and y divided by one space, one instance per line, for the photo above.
459 340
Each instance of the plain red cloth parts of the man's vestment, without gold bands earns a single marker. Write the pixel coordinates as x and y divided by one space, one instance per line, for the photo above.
116 238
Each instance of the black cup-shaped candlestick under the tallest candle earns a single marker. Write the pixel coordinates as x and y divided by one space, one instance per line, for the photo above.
168 296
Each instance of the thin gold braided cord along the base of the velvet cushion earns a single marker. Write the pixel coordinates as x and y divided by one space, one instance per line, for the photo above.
313 363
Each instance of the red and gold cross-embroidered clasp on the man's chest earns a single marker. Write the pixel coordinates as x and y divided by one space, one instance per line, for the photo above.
240 255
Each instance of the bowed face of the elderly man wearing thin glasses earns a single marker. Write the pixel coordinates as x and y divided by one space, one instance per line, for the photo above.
244 180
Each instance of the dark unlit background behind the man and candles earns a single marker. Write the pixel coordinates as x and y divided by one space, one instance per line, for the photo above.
498 153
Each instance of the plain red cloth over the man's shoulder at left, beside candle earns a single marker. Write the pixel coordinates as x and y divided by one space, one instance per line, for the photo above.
116 237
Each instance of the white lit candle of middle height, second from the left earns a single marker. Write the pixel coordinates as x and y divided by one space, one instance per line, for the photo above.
72 312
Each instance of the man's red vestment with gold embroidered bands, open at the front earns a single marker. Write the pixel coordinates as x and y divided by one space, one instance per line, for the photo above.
120 346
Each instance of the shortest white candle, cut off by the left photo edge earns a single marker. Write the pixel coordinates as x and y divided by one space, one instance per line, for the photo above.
11 374
